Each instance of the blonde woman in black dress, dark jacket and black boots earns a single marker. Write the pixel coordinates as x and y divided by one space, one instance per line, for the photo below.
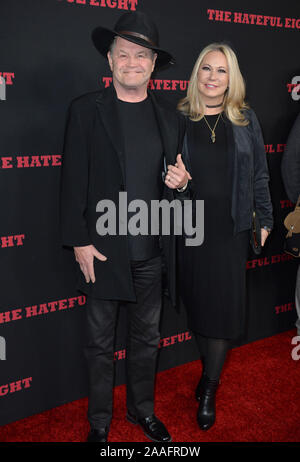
229 171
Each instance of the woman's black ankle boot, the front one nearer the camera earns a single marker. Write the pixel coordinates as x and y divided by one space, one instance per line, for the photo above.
206 415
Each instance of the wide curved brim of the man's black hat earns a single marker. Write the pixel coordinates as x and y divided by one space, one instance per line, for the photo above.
103 37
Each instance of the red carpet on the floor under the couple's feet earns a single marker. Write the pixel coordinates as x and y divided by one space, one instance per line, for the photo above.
258 401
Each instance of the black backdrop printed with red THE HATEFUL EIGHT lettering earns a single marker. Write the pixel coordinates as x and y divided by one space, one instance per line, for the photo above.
47 59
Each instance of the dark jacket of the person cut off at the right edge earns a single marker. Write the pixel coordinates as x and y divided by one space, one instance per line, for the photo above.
290 165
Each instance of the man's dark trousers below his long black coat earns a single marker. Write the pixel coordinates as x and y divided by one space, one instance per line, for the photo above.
141 346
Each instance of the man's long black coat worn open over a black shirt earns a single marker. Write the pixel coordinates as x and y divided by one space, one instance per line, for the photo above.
92 170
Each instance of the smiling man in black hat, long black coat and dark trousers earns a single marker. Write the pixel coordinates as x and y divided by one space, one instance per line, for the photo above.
118 139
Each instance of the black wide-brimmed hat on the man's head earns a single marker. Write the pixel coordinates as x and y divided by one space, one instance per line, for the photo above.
136 27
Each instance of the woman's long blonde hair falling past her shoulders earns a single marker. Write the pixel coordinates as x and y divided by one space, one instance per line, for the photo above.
234 99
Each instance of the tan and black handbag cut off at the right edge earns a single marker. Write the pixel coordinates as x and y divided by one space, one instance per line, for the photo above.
292 224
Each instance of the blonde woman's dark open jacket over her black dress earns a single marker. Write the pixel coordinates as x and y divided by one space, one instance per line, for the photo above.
249 172
